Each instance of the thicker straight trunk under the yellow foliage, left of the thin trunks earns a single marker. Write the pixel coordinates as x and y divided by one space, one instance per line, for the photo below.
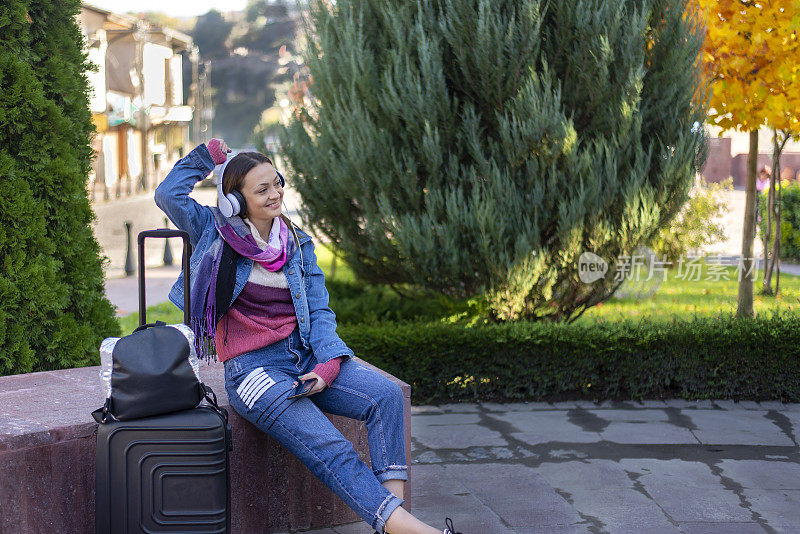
745 299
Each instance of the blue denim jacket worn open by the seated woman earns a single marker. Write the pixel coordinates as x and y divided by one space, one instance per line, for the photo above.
316 321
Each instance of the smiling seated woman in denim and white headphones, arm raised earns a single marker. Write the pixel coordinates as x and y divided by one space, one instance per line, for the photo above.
259 302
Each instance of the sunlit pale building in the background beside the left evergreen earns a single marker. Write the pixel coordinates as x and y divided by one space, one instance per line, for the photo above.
137 101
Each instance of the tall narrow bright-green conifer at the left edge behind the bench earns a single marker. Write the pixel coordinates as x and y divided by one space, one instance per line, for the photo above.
53 312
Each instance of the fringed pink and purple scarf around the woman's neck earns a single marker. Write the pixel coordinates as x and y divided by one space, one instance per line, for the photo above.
235 232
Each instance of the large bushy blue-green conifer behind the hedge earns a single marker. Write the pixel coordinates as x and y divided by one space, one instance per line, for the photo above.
479 147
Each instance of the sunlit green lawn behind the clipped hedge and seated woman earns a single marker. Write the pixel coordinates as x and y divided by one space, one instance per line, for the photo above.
704 294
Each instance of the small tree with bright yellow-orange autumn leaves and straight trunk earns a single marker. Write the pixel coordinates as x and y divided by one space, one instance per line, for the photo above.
751 58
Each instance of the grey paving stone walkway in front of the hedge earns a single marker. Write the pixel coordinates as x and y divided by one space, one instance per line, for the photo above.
616 467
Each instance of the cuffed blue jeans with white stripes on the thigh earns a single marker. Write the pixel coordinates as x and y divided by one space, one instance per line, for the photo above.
258 384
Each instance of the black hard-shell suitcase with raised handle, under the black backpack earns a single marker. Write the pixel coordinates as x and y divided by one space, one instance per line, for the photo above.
166 473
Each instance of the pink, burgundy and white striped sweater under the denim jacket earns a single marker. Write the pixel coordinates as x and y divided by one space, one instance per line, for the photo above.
262 314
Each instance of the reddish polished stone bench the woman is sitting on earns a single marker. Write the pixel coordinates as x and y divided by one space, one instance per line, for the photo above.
47 460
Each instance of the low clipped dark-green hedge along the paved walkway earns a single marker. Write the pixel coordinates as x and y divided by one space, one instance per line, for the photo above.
721 357
